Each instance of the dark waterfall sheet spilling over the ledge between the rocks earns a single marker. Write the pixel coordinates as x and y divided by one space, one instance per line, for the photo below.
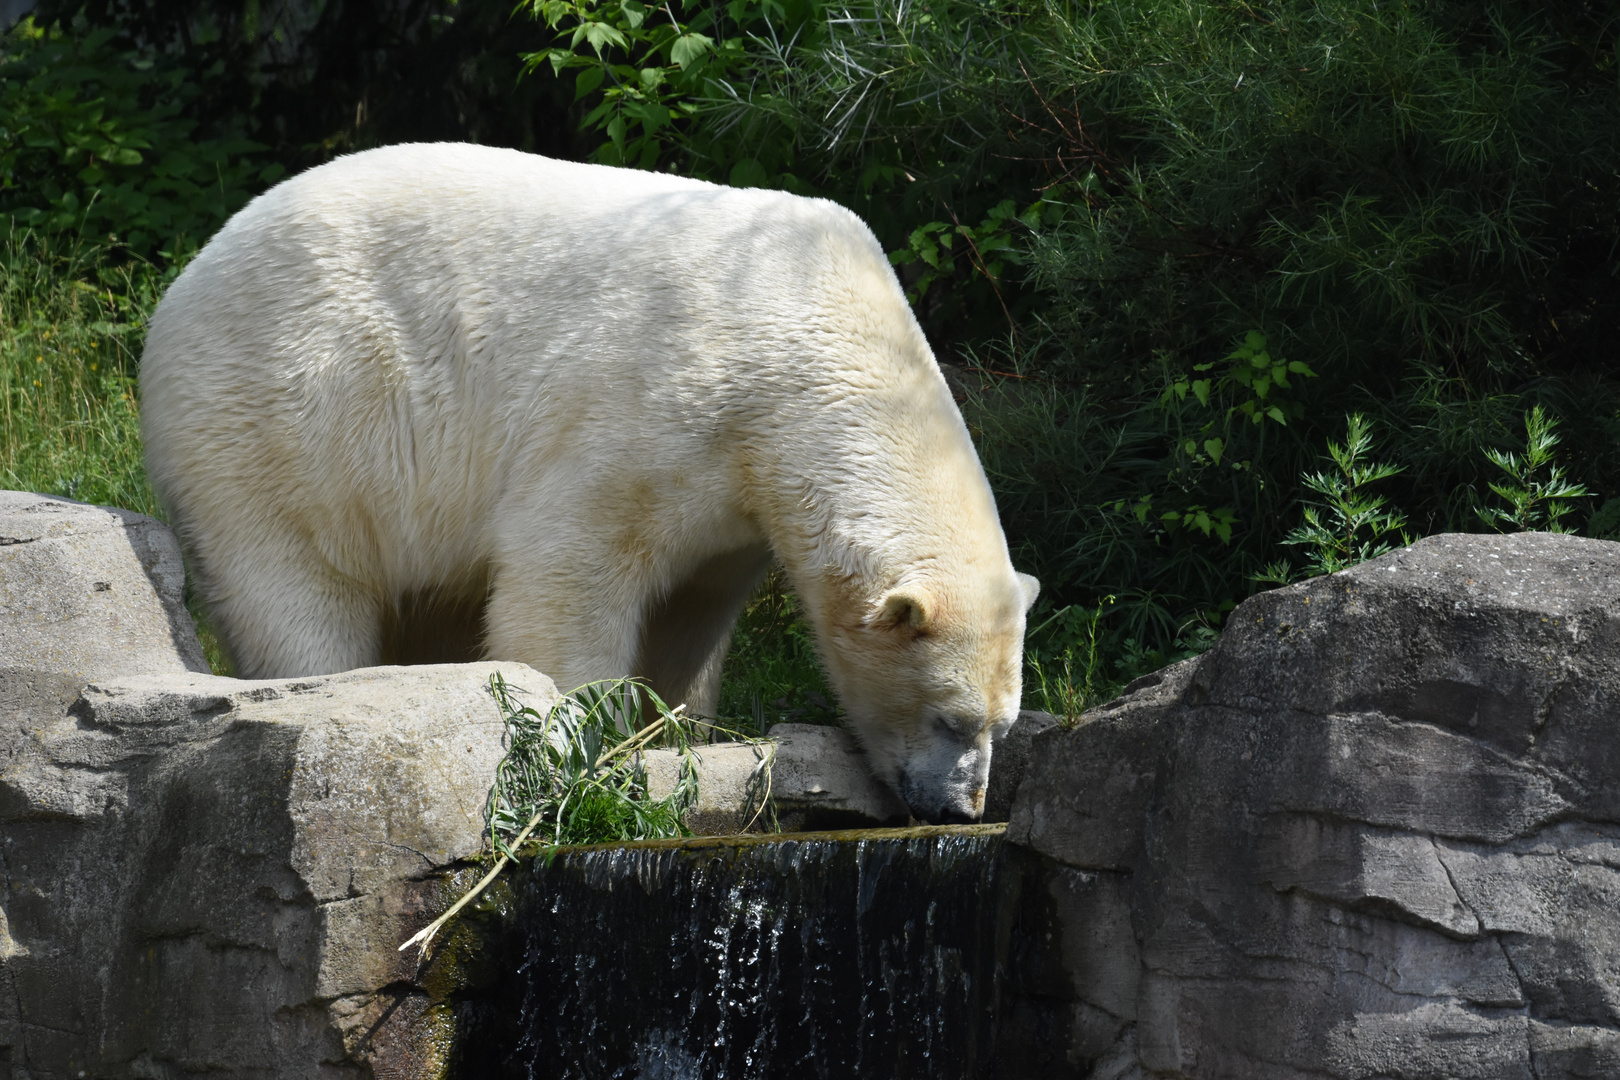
861 955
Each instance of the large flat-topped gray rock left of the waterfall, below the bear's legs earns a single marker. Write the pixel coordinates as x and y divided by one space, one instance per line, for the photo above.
208 875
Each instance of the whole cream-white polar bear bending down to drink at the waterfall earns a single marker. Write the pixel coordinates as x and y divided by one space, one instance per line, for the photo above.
454 402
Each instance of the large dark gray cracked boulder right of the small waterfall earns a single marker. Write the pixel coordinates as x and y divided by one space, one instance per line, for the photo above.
1373 833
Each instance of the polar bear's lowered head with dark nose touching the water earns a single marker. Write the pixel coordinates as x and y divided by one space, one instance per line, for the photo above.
931 673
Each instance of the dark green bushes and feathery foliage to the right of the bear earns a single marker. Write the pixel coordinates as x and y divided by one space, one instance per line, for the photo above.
1214 229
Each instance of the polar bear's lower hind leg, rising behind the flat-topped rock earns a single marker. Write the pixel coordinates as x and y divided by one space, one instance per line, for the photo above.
283 613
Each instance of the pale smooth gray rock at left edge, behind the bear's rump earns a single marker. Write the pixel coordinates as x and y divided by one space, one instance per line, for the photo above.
90 592
